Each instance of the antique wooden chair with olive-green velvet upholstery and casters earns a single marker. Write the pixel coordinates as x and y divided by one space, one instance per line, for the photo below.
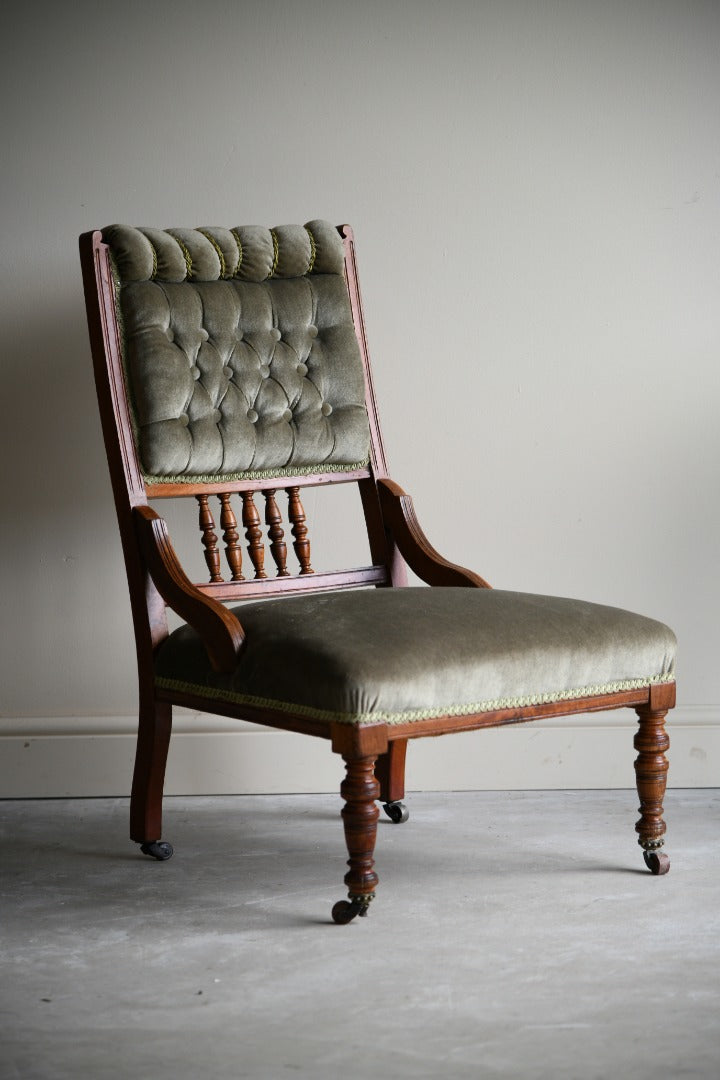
233 364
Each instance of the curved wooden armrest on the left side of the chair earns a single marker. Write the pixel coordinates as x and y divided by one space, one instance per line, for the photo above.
221 631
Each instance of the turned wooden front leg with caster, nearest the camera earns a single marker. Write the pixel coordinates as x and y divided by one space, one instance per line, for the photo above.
360 817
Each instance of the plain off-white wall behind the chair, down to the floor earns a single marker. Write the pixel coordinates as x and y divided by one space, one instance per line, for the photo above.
536 194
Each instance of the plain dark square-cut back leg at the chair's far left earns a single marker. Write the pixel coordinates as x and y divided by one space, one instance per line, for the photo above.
146 804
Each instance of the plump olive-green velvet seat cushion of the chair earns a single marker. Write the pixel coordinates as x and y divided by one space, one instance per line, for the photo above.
397 656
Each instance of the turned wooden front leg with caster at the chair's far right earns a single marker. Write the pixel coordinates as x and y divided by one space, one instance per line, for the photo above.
651 766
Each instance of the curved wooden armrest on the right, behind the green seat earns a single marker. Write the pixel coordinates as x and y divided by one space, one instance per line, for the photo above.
400 519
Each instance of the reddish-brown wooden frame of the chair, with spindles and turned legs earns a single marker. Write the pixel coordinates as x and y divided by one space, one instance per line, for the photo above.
374 754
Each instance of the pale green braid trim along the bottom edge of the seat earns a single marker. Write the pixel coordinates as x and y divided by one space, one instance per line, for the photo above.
412 715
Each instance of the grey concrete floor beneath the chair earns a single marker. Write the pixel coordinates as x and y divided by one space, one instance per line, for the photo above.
514 935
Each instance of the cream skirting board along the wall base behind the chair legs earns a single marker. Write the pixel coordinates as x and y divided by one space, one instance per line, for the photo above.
57 758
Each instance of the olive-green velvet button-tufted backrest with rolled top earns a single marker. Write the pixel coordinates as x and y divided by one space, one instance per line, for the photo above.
239 352
